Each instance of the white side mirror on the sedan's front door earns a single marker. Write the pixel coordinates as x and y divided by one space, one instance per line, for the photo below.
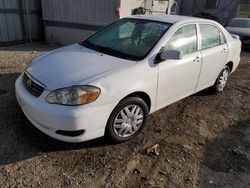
168 54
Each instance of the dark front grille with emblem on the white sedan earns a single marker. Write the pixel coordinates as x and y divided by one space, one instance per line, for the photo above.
33 87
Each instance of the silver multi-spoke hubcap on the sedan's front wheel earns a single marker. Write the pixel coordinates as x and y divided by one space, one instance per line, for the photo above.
128 121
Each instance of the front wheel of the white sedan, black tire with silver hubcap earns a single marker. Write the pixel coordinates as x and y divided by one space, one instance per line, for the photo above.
127 119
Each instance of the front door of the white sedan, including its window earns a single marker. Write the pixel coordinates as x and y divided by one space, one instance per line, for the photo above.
179 78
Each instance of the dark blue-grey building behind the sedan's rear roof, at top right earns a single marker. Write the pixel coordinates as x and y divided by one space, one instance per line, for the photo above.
220 10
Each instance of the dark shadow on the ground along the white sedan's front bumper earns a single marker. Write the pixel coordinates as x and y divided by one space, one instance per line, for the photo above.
19 139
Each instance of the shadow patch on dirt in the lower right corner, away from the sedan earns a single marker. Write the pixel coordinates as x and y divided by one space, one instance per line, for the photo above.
226 160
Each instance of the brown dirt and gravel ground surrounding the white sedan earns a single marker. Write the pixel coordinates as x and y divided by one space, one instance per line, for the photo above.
204 141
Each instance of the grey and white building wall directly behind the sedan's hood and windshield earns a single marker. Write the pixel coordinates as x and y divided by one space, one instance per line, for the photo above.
71 21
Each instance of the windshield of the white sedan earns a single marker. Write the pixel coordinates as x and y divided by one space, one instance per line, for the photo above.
127 38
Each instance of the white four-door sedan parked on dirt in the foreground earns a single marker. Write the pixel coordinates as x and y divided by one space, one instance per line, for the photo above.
109 83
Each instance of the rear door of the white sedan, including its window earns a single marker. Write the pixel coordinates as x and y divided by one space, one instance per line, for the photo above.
214 51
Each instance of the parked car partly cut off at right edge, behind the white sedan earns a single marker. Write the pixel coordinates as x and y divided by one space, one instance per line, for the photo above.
241 27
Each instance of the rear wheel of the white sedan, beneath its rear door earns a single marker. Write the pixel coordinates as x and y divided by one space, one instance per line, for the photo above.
221 81
